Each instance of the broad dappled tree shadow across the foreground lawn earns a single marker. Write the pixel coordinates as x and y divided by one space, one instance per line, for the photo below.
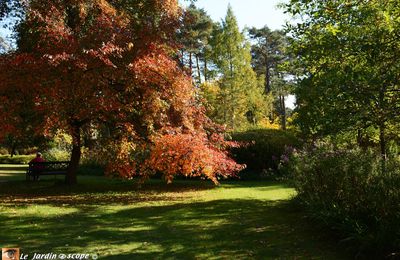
220 229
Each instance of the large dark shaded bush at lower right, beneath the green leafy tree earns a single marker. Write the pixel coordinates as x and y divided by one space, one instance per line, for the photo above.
348 191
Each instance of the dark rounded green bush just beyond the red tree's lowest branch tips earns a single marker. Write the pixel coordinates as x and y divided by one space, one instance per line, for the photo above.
262 149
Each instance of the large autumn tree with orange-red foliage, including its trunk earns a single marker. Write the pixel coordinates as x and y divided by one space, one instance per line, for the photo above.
112 63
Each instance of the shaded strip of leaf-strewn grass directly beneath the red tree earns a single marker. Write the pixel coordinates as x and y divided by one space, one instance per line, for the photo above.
95 191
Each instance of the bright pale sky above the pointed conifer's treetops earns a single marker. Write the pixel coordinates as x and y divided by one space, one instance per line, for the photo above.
249 13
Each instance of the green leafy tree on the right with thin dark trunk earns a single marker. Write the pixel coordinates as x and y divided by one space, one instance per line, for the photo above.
349 52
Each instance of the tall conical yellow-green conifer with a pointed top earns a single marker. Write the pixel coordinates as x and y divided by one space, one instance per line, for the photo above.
238 97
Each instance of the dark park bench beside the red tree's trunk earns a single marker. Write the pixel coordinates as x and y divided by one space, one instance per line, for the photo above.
37 169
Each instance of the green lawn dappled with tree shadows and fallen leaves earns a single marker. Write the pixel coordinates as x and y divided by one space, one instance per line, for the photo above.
185 220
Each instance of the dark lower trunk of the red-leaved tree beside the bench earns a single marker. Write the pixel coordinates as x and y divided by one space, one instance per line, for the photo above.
71 177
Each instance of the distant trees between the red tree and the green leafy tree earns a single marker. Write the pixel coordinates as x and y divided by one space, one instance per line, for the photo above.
243 77
